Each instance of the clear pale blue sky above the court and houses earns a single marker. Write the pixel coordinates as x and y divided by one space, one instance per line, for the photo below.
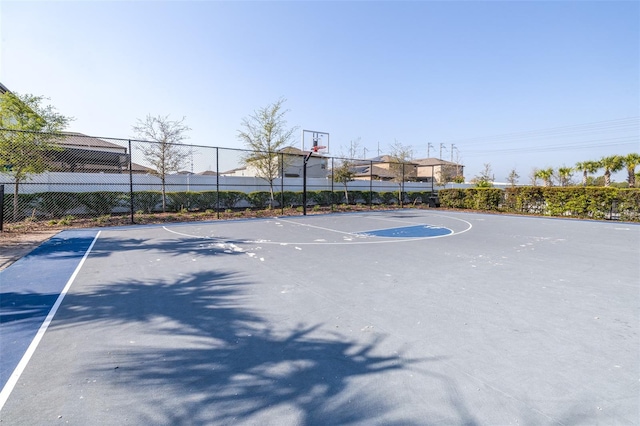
516 84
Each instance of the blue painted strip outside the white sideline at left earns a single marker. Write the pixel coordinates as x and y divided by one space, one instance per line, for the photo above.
30 287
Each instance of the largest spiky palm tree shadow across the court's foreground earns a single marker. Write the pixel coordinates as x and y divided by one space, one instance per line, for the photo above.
218 362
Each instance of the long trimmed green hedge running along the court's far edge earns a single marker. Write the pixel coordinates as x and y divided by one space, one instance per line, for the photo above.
579 202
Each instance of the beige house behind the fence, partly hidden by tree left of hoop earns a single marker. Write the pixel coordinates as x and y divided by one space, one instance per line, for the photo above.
293 163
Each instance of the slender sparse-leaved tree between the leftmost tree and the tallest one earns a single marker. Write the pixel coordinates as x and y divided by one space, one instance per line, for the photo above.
166 153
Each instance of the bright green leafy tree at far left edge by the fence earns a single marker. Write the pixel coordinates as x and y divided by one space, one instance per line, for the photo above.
29 131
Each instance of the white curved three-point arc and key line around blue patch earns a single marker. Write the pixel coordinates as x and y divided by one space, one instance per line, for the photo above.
352 234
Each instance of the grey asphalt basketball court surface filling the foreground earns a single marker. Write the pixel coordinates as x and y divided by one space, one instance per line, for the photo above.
402 317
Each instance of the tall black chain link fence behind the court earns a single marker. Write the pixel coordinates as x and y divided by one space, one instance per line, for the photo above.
70 174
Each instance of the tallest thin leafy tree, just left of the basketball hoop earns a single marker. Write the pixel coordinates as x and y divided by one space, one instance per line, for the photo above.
265 132
